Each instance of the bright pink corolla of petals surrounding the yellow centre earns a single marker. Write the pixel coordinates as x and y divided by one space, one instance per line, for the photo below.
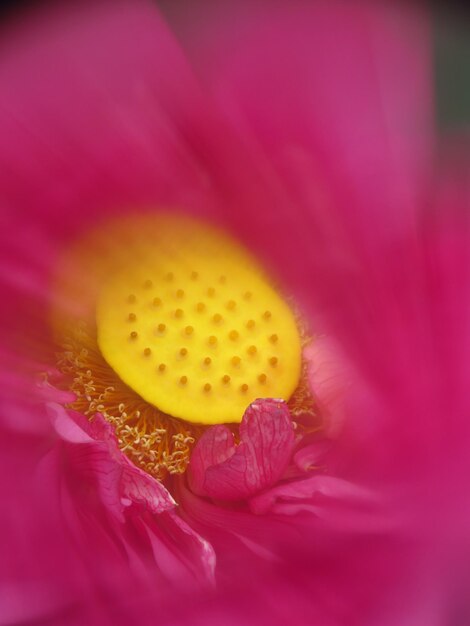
306 131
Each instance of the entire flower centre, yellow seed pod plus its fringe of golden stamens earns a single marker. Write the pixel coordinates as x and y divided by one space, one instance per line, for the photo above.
165 326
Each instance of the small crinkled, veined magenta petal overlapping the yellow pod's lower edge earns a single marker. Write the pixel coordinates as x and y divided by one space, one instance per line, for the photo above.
219 469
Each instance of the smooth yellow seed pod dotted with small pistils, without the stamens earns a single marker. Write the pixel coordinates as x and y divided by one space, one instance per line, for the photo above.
191 323
